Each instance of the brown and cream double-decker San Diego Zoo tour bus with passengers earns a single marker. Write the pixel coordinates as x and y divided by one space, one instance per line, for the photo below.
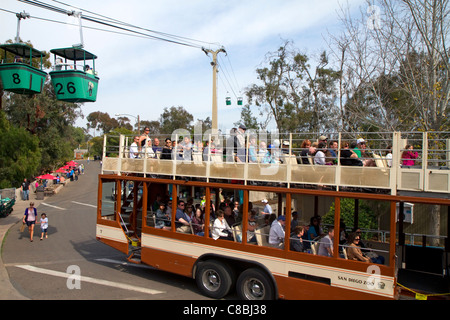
302 222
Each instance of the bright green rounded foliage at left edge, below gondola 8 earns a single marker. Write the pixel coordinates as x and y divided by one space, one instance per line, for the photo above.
20 155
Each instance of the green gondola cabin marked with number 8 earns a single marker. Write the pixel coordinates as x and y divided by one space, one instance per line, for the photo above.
17 72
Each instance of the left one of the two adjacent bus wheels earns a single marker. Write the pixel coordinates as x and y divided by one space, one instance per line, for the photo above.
213 279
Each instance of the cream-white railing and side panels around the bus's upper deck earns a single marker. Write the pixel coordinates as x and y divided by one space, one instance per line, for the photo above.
429 172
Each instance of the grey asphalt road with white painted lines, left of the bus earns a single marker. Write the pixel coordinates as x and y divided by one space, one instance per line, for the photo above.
72 265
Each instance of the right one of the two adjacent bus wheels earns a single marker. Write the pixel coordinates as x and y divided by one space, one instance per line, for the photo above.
254 284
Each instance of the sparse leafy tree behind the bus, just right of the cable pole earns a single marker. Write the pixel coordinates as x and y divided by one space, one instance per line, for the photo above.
298 96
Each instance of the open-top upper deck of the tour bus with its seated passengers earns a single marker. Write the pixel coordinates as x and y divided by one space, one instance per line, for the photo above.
384 168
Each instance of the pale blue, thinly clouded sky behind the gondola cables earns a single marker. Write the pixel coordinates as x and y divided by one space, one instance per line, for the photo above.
141 76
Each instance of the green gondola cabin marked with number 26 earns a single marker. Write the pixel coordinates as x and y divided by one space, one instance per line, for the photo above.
73 78
